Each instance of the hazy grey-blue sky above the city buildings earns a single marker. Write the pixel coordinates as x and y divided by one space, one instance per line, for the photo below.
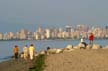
30 14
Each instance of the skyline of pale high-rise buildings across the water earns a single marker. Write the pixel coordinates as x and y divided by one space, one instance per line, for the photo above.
69 32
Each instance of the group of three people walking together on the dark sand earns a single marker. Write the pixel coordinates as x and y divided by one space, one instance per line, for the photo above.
26 51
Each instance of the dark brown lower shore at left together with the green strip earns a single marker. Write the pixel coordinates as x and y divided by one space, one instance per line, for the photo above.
21 64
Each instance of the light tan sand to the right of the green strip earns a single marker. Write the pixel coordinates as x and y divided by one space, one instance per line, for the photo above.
78 60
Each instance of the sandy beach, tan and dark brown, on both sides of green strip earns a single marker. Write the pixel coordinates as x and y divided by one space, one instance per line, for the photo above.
76 60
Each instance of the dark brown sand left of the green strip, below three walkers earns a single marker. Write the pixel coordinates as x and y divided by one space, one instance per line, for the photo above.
13 65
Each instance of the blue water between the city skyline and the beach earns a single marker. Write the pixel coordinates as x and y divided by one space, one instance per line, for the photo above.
6 47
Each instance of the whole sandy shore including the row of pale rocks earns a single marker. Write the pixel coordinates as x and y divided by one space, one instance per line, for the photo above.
64 59
